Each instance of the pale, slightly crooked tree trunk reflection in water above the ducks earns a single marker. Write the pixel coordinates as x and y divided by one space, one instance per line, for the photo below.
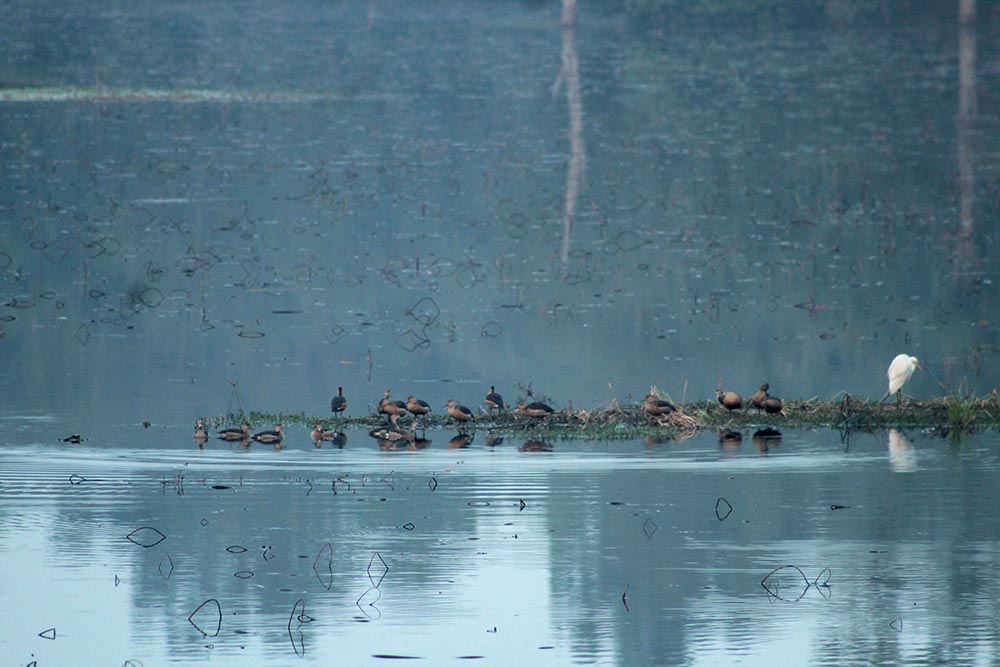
570 74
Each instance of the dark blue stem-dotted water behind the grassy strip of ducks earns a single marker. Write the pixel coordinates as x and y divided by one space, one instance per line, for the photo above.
335 195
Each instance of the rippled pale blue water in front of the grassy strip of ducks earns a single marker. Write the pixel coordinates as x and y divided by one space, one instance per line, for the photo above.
899 573
